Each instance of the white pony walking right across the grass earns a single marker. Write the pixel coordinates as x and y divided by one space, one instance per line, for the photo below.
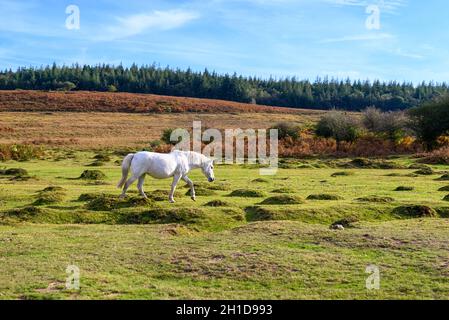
176 164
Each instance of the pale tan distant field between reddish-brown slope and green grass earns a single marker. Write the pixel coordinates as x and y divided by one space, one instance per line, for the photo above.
94 130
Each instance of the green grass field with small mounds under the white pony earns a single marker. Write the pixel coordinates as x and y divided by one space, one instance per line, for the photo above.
241 247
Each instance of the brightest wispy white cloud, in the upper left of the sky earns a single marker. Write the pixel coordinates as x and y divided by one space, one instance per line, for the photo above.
139 23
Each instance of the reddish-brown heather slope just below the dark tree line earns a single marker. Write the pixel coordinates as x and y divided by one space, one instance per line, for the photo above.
83 101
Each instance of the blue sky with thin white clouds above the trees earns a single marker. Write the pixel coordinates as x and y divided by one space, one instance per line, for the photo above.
279 38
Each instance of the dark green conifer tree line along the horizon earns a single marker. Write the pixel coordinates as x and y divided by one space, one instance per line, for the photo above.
323 93
